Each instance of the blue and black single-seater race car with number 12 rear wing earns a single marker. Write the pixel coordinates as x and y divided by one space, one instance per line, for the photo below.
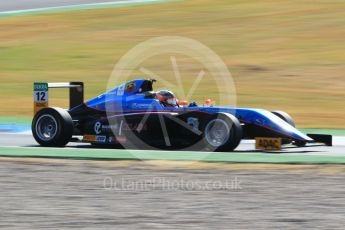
135 116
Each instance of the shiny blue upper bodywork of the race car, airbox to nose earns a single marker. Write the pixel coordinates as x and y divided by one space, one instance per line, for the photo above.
131 97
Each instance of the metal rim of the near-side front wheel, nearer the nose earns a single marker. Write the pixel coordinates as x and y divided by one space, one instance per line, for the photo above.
217 132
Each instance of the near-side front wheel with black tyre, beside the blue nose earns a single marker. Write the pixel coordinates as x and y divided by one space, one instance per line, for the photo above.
222 133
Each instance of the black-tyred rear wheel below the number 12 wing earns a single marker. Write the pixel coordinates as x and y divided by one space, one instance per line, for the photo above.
52 127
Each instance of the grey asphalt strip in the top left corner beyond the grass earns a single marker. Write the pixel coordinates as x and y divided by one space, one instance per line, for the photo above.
15 5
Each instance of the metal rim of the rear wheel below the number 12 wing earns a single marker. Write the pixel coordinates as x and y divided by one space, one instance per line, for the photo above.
46 127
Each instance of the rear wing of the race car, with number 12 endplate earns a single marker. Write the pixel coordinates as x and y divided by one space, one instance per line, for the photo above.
41 95
